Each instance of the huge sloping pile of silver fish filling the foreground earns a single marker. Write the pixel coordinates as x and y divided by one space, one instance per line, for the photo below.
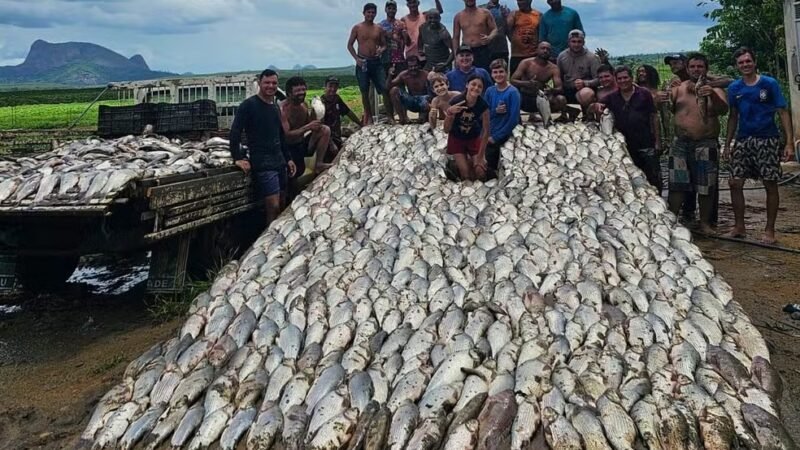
558 306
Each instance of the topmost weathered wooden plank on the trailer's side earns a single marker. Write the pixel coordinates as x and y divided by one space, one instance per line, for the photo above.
177 193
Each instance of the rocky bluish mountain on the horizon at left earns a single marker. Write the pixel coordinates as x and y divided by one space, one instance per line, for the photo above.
76 64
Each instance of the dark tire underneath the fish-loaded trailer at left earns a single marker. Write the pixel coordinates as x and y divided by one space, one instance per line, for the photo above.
45 273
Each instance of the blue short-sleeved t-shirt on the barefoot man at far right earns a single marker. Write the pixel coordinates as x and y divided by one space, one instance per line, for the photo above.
757 105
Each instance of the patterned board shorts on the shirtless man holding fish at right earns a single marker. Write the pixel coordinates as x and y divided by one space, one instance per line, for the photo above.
693 166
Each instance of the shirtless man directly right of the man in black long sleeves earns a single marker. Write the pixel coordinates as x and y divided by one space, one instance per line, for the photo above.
304 135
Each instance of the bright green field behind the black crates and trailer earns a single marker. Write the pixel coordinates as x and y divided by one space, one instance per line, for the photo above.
63 114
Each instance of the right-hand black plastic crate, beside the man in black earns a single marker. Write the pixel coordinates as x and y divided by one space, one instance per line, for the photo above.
200 115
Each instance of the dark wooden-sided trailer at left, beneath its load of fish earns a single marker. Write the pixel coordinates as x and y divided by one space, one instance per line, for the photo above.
172 217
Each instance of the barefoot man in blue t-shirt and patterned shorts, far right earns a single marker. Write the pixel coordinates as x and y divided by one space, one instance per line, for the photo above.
754 99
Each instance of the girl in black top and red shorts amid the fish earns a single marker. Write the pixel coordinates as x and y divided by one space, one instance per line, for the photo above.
467 124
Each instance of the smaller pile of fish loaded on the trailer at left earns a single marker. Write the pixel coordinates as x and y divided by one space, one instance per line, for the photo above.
94 171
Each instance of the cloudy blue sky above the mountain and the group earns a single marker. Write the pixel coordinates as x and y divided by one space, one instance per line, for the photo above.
206 36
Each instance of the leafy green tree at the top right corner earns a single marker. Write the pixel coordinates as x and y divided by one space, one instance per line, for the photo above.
757 24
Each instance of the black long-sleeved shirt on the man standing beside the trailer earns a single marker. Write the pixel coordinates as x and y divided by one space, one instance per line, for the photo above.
266 142
